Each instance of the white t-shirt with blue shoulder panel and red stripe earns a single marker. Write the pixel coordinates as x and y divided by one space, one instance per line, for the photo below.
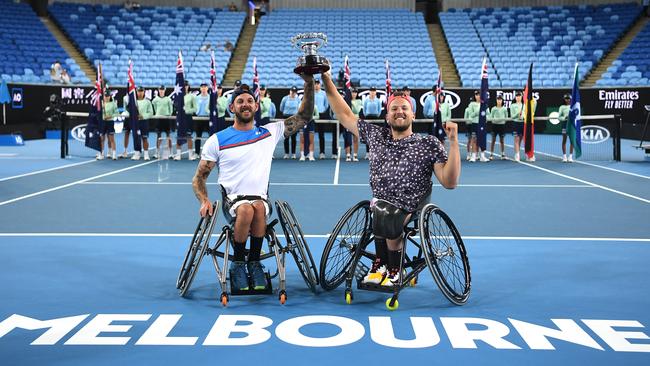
244 157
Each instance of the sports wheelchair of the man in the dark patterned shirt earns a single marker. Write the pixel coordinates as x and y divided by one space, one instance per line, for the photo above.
440 248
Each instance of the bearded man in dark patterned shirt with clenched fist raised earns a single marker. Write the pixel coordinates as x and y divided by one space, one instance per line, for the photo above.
400 173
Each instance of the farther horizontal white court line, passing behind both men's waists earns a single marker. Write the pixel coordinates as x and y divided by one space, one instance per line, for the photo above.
363 184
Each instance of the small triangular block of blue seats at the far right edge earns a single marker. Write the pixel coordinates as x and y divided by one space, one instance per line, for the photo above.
632 68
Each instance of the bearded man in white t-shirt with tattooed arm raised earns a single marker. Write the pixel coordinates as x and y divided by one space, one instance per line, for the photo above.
244 153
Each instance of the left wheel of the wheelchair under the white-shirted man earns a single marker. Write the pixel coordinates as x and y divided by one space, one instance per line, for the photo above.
196 251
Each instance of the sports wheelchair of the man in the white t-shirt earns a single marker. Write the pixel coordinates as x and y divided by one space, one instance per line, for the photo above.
295 244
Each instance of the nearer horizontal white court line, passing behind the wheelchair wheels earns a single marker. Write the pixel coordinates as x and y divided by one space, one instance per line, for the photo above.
468 237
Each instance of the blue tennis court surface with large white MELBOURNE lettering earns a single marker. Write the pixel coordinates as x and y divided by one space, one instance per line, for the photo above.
90 253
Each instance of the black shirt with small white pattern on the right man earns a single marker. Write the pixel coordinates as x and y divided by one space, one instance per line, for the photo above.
400 170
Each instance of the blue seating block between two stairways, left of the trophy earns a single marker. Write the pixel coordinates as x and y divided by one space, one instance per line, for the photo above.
151 37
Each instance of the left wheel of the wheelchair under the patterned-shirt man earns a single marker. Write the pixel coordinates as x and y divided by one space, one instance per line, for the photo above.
351 230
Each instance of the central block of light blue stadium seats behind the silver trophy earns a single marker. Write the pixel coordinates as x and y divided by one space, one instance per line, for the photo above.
367 36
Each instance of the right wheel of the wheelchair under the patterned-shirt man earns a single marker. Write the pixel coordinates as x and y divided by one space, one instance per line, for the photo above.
445 254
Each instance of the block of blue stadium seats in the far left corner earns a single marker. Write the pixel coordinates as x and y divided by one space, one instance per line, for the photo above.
28 48
